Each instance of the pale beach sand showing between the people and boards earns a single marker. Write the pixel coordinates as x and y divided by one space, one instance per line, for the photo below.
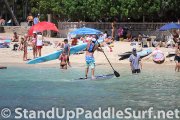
15 57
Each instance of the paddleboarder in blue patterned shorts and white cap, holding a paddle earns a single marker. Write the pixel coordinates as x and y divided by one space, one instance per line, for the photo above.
89 57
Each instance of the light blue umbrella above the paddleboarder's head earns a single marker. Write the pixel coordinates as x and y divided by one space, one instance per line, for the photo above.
86 31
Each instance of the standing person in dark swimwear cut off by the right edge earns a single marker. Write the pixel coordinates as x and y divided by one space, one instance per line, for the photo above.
177 58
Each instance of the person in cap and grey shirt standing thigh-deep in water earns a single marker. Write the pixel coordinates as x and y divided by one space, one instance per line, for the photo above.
135 62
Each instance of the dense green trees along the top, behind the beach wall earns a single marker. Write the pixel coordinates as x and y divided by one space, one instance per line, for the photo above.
96 10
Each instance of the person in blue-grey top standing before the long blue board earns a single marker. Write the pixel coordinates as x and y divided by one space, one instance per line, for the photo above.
67 50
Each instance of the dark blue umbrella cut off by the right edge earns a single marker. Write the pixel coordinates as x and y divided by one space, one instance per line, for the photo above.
170 26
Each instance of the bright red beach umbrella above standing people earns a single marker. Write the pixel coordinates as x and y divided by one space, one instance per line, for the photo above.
42 26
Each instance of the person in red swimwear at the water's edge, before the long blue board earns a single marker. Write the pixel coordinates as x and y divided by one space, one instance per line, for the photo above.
63 59
